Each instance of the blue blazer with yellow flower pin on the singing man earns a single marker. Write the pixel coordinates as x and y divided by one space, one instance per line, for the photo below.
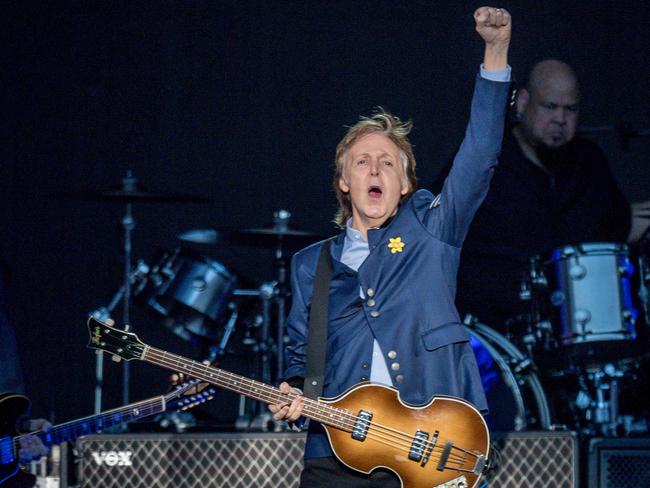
409 295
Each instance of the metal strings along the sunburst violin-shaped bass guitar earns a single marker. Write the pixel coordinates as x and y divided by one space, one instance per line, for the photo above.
173 361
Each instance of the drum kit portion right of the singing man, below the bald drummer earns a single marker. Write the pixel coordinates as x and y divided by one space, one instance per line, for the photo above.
582 338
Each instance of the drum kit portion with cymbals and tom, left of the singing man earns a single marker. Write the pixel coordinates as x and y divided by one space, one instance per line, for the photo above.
198 298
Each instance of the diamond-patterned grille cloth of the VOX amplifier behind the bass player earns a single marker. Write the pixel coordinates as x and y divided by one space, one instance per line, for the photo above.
527 459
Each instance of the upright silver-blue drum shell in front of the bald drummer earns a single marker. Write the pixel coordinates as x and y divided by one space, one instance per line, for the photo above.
592 293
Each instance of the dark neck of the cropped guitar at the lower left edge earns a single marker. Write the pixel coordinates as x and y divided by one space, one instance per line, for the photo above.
74 429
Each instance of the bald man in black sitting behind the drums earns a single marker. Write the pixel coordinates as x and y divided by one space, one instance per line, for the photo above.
551 189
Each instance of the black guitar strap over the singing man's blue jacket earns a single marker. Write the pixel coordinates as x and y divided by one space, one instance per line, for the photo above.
318 321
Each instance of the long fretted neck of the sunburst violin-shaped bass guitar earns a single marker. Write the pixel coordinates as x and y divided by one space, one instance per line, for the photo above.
313 409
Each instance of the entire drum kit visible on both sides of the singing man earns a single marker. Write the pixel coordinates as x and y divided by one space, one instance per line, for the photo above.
581 336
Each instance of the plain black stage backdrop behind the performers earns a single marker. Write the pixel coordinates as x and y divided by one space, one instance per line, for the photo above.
242 102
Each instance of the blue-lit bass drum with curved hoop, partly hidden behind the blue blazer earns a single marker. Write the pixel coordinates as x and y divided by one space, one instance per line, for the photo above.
514 392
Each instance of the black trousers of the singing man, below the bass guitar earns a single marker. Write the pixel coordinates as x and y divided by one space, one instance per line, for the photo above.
328 472
